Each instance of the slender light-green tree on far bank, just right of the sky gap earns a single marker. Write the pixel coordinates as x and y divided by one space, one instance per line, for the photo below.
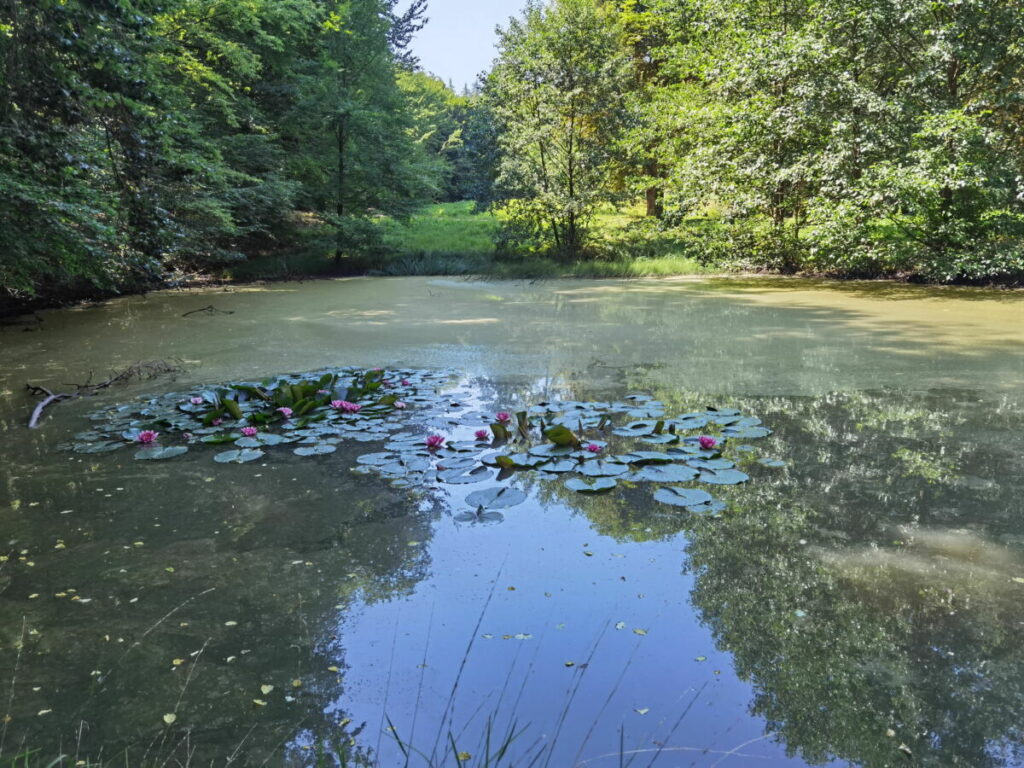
557 93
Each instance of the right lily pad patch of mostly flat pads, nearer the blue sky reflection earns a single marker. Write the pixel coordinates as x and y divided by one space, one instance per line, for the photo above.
595 446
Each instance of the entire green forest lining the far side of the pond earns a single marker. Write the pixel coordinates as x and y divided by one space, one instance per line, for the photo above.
150 144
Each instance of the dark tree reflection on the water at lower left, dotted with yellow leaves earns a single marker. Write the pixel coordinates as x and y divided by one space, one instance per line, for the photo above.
236 584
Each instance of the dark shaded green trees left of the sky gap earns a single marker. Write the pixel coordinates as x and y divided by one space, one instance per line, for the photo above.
144 139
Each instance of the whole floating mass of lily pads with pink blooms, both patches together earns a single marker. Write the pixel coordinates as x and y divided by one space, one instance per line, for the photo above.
593 446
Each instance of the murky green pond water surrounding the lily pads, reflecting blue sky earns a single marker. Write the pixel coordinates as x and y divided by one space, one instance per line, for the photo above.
863 605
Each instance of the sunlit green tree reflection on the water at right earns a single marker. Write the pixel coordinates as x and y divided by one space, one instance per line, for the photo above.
868 591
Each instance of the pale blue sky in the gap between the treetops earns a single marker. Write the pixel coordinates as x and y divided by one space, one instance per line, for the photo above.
459 41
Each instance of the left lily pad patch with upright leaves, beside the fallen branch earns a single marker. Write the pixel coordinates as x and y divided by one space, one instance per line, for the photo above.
312 413
